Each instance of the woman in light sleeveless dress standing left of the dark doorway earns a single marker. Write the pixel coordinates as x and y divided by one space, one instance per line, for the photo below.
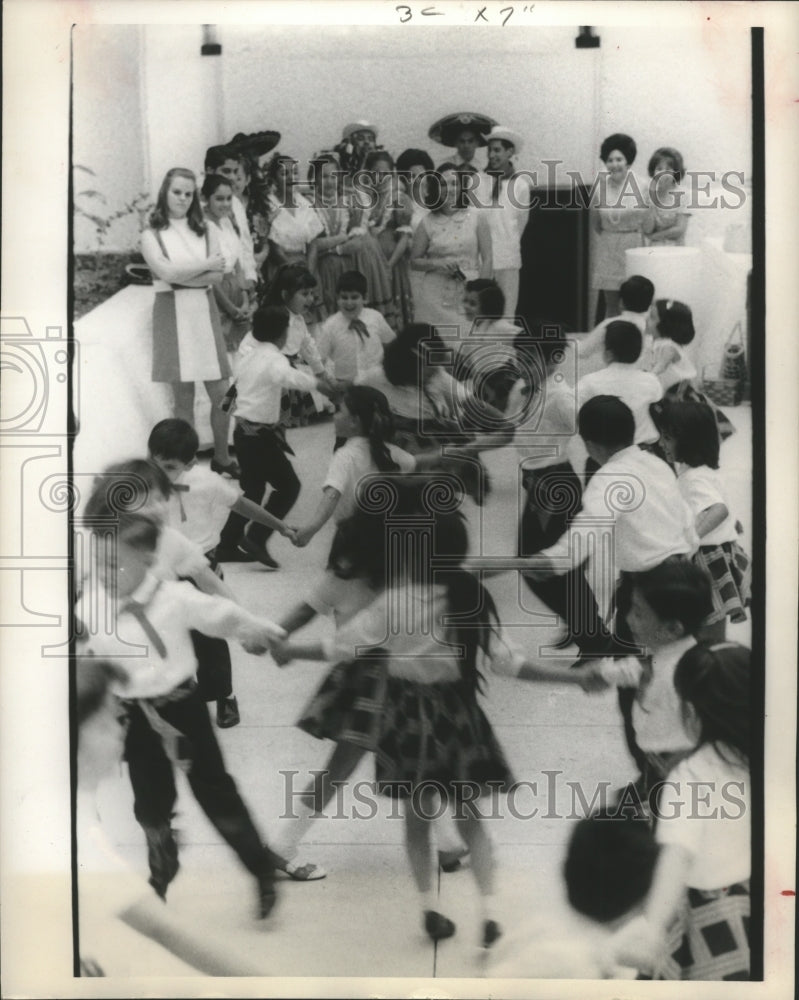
451 245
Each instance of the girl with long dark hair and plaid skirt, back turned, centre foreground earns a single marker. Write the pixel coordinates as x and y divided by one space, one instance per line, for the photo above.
429 630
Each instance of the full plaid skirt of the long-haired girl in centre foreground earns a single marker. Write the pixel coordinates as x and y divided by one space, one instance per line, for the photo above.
436 733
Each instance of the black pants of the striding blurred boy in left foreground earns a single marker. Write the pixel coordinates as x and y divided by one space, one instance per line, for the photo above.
153 779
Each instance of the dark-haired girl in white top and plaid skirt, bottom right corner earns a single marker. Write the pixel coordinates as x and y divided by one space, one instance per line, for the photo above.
696 918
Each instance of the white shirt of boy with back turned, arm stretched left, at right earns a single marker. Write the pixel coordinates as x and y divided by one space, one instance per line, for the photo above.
637 495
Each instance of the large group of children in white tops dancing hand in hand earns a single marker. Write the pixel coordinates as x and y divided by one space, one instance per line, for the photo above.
632 448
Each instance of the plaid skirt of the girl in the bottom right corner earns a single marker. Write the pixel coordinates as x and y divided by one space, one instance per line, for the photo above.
710 939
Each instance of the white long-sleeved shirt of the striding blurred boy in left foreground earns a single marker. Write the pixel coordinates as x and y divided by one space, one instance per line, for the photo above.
173 610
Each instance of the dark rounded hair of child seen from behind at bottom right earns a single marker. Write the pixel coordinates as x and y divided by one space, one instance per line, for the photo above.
610 862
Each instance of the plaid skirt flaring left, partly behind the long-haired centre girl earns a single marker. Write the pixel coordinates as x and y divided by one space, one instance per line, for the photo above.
348 705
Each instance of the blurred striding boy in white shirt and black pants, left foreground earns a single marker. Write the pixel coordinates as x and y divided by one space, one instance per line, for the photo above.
154 619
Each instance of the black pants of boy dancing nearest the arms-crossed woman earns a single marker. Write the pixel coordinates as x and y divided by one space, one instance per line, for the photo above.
263 461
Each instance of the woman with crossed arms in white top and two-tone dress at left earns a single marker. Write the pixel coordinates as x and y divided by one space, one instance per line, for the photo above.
185 259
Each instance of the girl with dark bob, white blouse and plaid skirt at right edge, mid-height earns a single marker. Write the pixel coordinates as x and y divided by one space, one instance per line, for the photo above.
690 438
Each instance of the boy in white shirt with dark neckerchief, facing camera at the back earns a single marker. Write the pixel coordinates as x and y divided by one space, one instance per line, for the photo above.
351 341
